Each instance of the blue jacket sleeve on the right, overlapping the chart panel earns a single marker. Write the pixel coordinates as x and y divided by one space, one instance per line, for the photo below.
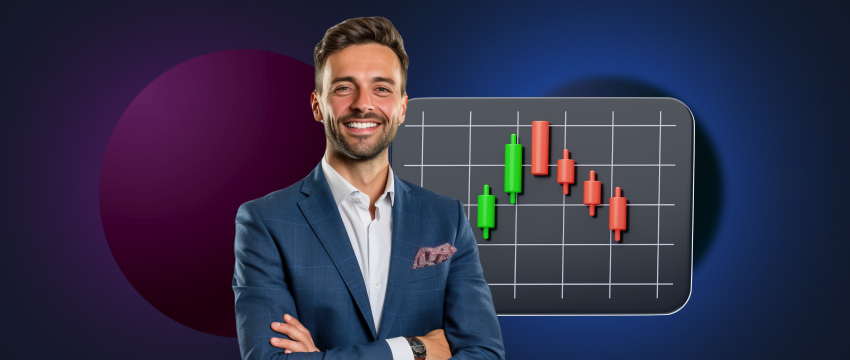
469 318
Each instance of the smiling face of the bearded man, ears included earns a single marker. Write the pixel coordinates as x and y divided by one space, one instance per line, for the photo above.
361 104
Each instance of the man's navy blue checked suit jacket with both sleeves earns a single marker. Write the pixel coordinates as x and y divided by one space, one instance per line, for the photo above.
293 256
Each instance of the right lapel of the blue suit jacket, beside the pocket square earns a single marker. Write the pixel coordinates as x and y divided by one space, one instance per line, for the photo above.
406 232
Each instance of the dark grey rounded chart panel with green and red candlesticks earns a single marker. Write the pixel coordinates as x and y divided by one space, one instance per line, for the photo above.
629 163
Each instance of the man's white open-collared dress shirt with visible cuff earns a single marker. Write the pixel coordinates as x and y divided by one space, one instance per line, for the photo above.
371 241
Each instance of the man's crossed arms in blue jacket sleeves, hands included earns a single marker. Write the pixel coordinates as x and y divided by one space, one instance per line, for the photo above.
262 294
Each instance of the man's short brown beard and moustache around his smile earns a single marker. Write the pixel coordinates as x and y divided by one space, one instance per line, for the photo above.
360 147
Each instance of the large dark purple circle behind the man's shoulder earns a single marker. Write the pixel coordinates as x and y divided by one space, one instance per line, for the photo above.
201 139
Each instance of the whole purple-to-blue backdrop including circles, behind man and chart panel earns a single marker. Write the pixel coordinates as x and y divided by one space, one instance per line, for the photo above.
767 84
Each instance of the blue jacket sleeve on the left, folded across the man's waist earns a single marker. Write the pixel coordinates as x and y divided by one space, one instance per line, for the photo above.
262 297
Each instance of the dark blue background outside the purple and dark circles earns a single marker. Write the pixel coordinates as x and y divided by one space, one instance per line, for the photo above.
767 81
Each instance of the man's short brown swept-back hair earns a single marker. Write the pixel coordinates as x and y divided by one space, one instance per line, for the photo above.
364 30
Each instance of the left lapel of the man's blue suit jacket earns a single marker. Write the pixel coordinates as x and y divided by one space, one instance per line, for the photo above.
323 215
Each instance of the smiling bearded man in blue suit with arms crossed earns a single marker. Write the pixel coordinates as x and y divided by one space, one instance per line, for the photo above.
335 254
